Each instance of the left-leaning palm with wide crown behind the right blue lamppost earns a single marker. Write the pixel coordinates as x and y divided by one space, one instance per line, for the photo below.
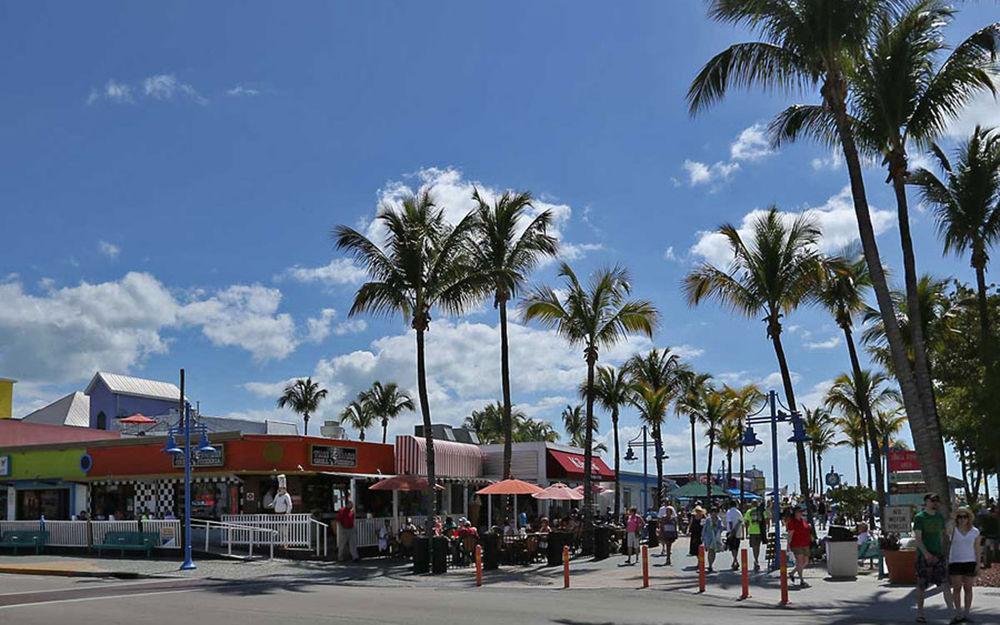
772 272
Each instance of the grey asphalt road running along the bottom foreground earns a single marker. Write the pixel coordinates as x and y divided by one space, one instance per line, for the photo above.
261 602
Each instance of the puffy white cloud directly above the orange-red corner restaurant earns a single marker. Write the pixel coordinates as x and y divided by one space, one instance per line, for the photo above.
245 316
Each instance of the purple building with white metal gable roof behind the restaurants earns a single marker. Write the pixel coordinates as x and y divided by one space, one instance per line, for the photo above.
113 396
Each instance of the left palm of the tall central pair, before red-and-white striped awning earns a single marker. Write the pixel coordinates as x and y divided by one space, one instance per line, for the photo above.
422 265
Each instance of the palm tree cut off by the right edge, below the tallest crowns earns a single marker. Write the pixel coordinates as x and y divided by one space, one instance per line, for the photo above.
967 207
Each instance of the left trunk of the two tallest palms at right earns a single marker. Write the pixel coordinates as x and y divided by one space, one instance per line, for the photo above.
924 426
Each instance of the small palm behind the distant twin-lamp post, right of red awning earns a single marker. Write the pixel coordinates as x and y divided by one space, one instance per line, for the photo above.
654 377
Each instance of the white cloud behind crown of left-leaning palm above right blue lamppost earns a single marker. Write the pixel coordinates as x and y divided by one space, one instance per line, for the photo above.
835 219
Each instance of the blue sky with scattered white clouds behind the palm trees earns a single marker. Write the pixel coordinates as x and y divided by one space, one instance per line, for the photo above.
170 175
